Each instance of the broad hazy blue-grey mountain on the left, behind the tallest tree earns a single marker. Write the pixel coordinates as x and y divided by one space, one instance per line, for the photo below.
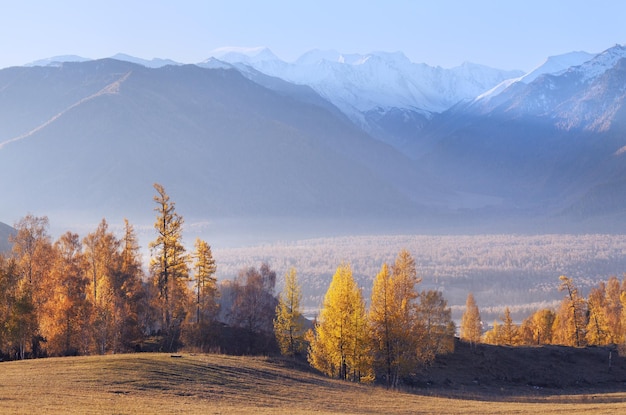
91 138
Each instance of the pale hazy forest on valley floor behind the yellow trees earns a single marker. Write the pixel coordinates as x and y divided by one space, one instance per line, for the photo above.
516 271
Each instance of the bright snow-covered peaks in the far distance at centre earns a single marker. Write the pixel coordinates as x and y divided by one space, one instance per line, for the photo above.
358 83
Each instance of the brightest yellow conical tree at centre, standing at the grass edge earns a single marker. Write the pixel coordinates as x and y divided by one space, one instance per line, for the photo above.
338 345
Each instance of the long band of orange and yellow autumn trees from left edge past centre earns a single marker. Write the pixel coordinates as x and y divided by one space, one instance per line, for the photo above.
91 295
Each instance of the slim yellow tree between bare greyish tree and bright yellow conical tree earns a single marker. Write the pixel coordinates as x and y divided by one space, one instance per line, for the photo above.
288 324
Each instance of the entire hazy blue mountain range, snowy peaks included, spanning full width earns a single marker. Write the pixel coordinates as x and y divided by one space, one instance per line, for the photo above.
343 140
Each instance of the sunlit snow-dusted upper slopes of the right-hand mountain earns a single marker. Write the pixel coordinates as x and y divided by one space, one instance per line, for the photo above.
586 95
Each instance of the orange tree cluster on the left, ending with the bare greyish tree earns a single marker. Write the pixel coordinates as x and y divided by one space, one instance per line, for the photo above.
92 295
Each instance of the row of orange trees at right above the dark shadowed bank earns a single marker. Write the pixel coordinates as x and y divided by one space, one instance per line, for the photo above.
599 319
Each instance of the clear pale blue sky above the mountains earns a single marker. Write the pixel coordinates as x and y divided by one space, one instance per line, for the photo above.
498 33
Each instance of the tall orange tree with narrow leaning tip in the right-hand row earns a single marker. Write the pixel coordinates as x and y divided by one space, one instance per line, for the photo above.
570 322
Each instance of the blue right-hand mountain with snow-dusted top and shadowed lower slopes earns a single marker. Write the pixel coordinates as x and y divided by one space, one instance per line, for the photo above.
549 145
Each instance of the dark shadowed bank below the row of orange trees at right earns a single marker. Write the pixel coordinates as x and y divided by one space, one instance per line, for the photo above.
513 371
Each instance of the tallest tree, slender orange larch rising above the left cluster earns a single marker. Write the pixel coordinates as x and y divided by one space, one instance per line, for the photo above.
168 267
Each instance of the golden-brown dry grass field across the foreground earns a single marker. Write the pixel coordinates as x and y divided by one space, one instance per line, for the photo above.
217 384
